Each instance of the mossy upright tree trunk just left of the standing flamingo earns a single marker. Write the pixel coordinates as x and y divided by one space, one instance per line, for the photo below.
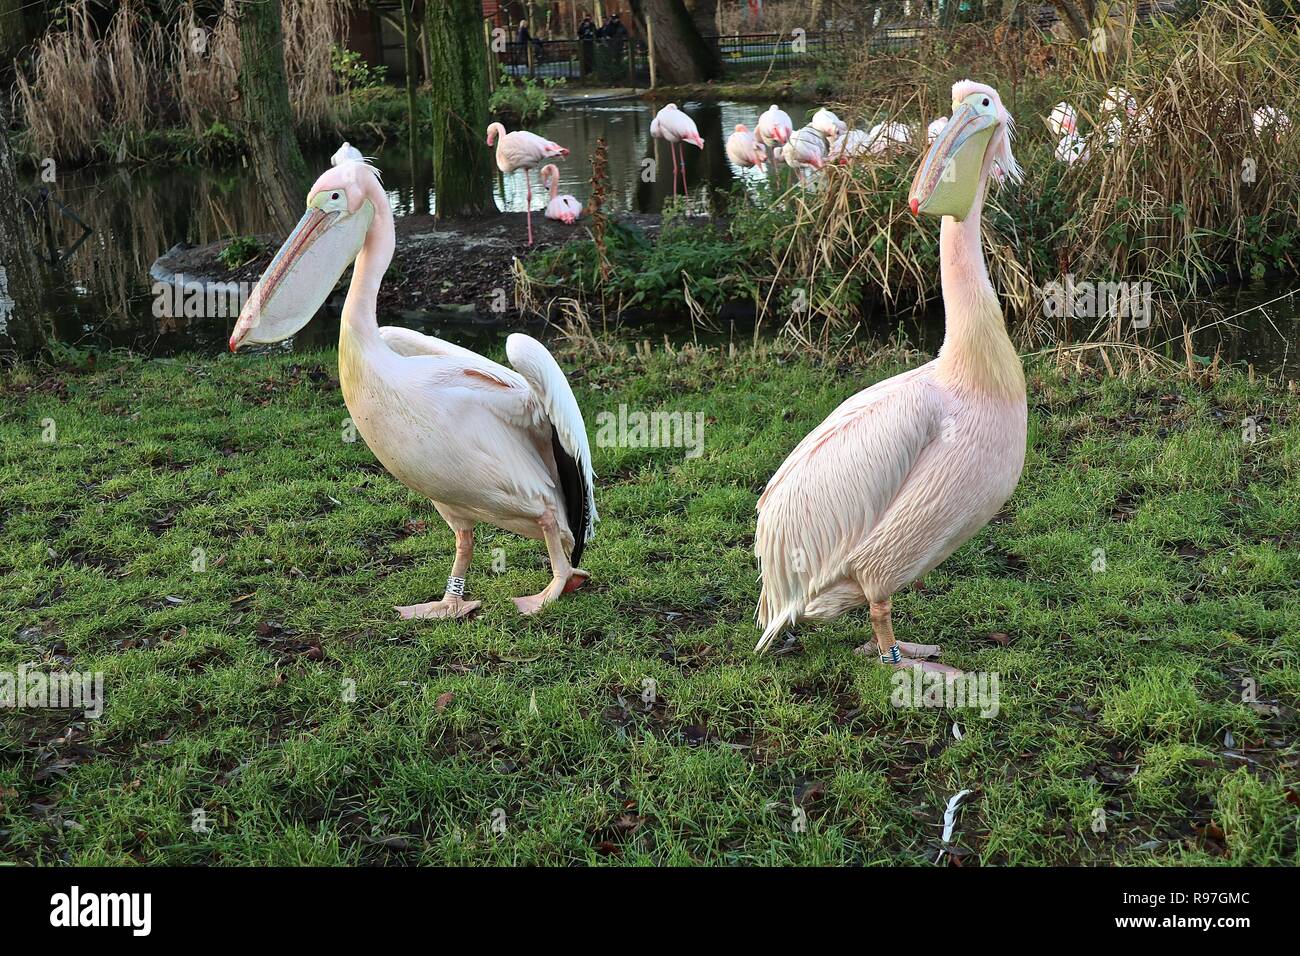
458 92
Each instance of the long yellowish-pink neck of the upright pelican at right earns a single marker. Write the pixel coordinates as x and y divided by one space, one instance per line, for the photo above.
977 353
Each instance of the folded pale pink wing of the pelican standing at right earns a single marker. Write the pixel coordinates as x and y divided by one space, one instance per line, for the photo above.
826 499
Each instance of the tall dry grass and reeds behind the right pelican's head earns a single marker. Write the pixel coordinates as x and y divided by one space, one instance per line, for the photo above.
1168 202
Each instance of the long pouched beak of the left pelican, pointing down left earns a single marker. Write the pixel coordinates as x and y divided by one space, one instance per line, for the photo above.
302 275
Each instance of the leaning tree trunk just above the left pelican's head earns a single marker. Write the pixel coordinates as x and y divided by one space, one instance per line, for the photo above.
276 161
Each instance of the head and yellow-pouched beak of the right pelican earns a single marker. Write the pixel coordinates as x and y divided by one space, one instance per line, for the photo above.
976 142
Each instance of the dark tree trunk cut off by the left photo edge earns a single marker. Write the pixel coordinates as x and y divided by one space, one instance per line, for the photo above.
21 325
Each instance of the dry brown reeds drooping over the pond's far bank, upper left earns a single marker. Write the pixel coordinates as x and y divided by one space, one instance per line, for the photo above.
89 86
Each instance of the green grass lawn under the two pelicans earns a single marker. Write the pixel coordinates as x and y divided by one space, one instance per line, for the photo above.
1117 686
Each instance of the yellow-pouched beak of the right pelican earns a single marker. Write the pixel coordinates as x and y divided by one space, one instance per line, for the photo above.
950 178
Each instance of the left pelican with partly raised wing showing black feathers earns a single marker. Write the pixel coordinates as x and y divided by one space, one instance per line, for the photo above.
482 442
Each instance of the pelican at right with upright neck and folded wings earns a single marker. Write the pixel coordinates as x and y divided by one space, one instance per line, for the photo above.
904 473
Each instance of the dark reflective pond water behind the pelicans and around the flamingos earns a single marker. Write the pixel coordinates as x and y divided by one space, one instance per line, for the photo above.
105 296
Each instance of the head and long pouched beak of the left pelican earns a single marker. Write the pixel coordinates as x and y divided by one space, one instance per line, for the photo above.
340 210
